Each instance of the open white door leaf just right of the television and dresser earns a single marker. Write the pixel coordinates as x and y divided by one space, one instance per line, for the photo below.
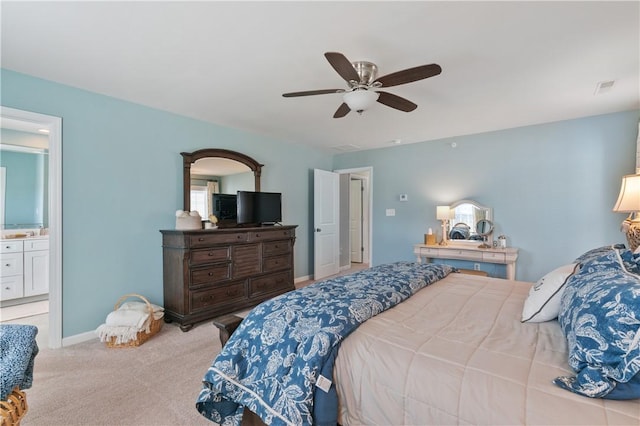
326 209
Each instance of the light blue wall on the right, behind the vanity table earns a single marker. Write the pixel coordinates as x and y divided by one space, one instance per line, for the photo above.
552 187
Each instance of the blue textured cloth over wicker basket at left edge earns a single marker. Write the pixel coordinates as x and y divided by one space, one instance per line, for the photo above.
18 349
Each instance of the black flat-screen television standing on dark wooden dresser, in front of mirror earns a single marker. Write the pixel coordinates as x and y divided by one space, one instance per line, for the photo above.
262 208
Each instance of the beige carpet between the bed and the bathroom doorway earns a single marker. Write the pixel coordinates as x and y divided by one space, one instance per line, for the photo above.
154 384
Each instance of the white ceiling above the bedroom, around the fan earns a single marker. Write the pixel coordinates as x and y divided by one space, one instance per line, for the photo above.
504 64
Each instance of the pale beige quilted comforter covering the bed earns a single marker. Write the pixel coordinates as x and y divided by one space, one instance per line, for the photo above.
457 353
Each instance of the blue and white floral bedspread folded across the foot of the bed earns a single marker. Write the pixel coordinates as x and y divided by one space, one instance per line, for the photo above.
279 362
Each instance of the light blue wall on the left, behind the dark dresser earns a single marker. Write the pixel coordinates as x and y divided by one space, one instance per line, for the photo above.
122 183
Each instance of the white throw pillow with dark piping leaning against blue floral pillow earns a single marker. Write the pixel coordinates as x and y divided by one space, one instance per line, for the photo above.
543 302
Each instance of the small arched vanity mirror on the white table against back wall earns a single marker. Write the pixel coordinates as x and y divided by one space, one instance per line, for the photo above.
465 216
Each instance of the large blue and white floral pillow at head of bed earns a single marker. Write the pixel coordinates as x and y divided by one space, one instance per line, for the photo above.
600 317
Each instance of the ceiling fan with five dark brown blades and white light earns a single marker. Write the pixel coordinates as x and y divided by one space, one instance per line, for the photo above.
362 78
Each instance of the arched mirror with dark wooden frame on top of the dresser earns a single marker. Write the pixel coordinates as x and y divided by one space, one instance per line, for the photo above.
217 171
